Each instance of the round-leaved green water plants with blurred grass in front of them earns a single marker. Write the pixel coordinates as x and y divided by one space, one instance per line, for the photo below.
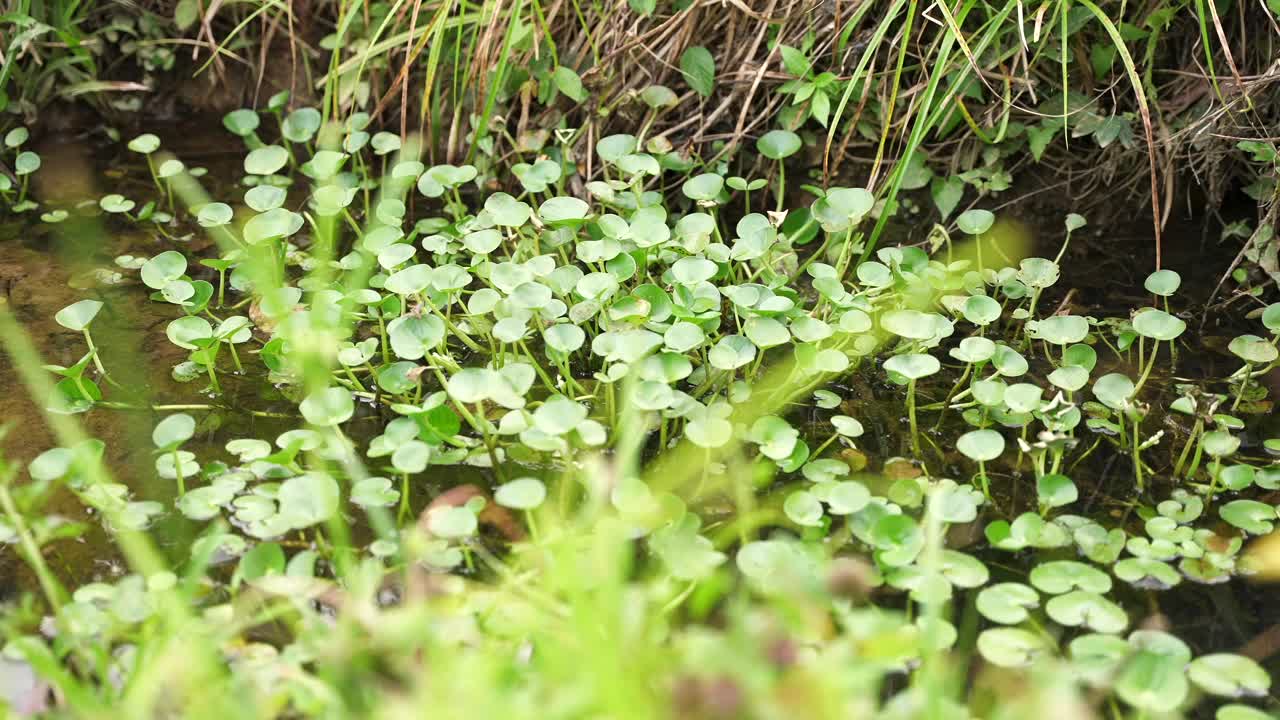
633 371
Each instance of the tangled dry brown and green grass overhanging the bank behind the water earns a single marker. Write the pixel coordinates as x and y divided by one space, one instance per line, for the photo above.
1206 88
